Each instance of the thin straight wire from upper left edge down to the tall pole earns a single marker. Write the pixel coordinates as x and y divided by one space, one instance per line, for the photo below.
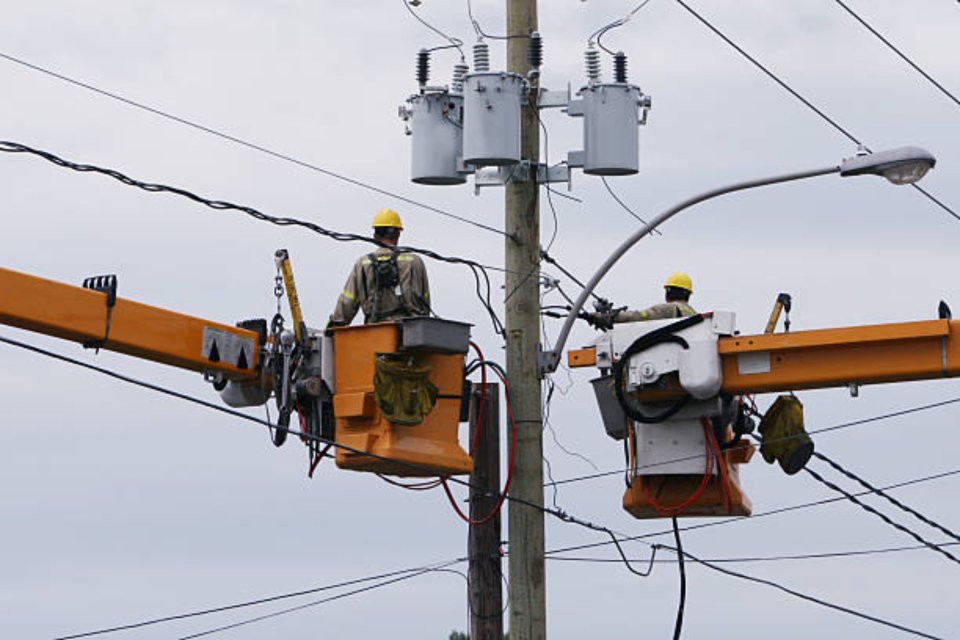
250 145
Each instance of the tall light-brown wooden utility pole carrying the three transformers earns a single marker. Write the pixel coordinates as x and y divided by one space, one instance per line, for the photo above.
527 580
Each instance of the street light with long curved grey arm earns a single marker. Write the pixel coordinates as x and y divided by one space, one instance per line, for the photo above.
904 165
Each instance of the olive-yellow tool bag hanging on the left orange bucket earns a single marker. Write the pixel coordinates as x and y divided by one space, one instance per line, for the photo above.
402 389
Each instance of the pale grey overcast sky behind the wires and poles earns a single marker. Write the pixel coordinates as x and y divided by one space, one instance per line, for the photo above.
120 505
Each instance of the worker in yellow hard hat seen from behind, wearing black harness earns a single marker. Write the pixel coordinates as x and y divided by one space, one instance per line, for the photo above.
387 284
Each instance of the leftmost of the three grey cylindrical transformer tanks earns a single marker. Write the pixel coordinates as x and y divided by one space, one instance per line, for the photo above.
436 126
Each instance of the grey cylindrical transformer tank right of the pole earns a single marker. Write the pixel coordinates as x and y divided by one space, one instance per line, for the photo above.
611 140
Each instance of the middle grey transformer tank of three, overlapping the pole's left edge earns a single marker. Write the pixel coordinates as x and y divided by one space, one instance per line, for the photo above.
491 118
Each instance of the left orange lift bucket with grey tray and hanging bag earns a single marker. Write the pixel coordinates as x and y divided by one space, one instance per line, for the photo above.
398 393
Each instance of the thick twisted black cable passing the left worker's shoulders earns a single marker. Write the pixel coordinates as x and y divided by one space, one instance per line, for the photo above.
481 278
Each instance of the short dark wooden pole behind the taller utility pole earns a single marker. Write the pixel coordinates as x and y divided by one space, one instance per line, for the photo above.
483 542
